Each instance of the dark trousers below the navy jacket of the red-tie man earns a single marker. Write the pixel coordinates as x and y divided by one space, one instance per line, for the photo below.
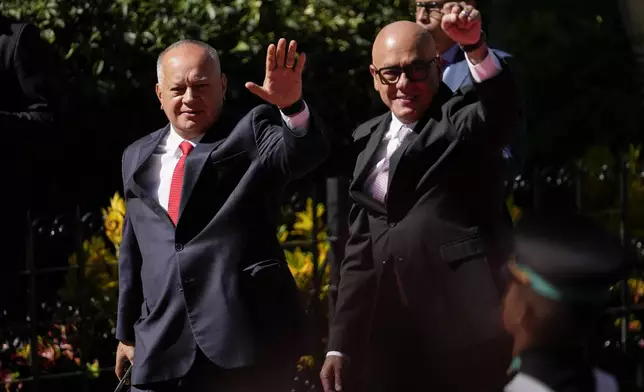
206 376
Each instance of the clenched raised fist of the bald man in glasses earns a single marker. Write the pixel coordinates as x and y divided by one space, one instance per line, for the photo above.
461 22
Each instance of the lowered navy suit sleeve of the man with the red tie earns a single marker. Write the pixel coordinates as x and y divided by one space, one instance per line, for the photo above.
130 289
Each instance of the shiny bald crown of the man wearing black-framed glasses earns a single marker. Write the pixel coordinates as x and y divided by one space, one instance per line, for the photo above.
402 36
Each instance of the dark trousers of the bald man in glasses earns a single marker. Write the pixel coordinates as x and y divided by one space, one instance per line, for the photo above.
400 360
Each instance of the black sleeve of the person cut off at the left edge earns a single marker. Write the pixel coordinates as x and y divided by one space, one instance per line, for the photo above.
32 64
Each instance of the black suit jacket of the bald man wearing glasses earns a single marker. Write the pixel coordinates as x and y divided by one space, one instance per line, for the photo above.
442 228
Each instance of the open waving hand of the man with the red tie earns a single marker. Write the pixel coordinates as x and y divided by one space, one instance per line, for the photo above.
282 85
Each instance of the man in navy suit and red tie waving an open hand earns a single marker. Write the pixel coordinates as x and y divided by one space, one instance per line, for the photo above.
205 296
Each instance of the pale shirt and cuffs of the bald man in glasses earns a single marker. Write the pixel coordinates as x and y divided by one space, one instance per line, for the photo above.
486 69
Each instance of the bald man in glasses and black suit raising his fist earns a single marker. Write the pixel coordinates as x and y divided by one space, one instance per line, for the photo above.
419 290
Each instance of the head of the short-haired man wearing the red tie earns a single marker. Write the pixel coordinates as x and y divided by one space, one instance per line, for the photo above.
191 89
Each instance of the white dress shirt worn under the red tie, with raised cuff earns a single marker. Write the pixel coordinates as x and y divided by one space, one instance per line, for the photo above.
157 176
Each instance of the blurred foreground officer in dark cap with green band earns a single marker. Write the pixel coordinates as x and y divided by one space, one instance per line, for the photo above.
559 280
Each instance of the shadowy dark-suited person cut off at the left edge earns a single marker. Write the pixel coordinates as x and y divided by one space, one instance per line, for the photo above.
26 113
